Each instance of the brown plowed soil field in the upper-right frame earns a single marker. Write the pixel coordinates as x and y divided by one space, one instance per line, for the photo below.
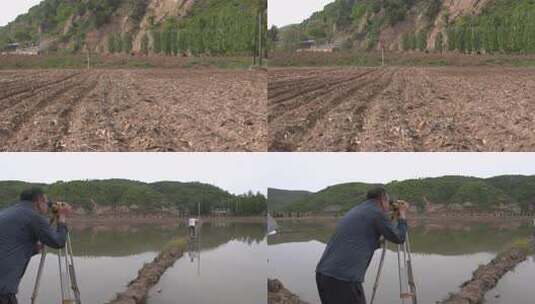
401 109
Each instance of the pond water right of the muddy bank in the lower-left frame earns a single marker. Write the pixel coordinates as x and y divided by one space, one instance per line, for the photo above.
232 272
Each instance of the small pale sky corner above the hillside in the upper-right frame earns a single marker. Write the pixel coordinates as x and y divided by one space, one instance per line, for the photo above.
285 12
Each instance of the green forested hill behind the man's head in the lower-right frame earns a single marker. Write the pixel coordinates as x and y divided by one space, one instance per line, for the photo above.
516 193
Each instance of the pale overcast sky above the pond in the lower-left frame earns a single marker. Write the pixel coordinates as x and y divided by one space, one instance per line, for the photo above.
236 173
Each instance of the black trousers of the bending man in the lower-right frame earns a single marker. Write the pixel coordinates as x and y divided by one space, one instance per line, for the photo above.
334 291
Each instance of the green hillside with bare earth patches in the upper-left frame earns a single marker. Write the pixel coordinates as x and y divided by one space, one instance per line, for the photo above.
171 27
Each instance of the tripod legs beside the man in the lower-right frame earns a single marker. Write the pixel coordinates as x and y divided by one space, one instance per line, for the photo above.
407 285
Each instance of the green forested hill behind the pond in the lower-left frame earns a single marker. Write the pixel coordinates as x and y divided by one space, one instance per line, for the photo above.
95 196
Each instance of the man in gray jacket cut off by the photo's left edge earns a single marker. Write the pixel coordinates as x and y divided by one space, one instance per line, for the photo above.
24 228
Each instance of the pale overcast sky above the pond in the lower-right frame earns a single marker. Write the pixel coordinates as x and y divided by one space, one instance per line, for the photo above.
314 172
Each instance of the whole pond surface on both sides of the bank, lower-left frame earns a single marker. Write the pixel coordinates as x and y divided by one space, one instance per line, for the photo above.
108 257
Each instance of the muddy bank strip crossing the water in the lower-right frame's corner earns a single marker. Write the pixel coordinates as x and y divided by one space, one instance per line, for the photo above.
486 277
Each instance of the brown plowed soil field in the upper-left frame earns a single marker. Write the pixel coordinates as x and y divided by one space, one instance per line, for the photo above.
132 110
